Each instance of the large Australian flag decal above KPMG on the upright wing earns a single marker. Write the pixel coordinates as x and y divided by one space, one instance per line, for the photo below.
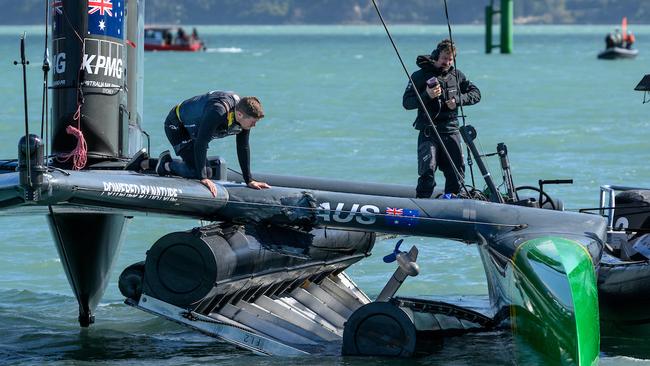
106 18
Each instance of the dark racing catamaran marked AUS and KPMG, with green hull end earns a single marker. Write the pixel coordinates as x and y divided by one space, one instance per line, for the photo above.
268 274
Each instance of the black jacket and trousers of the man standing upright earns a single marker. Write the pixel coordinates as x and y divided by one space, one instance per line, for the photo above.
455 85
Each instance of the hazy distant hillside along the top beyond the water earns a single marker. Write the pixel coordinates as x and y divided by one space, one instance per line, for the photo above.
357 11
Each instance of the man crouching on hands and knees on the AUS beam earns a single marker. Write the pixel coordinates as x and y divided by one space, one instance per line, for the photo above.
192 124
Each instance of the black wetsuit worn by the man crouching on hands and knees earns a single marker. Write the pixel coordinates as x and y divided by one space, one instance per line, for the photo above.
192 124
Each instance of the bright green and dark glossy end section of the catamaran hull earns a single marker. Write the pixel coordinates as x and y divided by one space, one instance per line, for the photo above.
555 300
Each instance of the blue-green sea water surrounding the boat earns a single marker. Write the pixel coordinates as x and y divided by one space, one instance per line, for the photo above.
332 96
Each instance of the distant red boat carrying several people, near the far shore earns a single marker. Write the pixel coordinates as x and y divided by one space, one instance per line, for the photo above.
161 38
